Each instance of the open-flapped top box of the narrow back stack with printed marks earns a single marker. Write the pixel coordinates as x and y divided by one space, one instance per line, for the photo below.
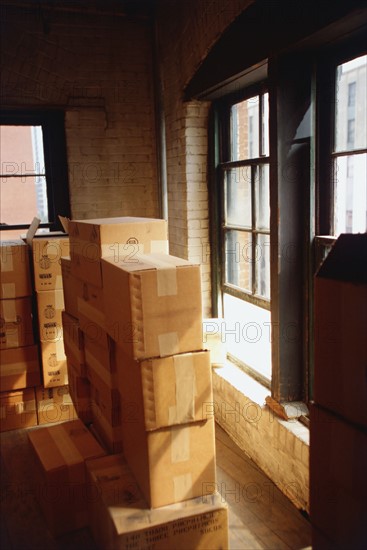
47 252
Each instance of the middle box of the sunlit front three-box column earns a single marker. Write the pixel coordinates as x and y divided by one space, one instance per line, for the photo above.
166 390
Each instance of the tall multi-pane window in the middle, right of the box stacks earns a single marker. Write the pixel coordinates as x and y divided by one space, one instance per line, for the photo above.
243 183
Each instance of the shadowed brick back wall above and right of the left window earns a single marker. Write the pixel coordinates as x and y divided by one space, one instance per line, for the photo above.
99 68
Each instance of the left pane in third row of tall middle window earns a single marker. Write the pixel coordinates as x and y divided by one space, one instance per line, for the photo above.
238 259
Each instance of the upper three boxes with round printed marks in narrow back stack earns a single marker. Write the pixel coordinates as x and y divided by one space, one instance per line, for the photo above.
46 254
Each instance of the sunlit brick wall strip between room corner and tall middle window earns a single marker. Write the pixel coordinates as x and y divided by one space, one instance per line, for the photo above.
187 29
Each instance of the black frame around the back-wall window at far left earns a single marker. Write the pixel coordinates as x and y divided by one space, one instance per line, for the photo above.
55 157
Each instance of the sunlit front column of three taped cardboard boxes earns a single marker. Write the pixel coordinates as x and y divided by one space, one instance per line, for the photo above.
155 318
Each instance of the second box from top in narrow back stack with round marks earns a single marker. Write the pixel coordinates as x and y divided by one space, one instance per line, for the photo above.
50 305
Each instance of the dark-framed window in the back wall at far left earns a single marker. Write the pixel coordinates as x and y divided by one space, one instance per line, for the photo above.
33 178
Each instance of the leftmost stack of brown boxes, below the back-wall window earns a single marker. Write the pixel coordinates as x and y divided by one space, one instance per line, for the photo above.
19 365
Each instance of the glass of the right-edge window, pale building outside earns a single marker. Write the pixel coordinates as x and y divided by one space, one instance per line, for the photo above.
349 156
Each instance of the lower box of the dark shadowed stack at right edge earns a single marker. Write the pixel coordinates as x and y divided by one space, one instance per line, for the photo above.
338 479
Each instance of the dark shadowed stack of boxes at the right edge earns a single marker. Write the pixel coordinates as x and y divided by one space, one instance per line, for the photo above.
338 430
